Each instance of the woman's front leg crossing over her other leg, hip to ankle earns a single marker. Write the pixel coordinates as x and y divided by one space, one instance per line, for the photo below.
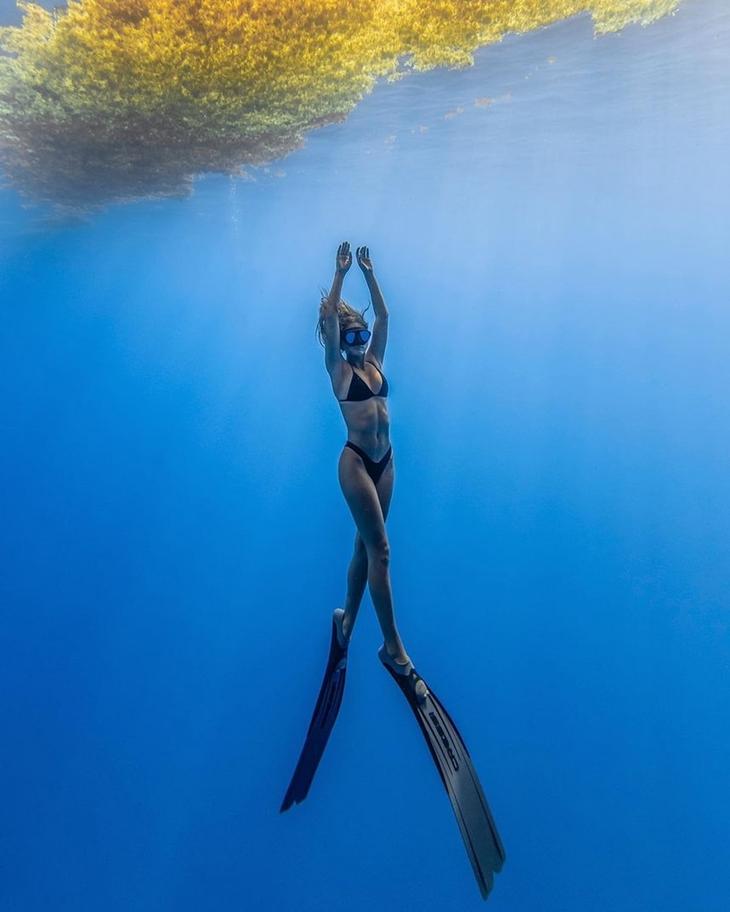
363 499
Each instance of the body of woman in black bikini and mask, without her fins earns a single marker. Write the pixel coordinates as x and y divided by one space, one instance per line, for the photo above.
366 468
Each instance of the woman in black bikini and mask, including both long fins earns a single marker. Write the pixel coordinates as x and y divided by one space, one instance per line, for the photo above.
366 474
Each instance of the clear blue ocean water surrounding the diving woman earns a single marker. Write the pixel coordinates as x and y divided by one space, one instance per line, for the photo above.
175 539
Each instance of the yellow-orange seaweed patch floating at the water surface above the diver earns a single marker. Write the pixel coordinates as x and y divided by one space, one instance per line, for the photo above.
116 99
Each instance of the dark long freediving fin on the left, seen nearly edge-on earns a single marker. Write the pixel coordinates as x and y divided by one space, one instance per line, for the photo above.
323 718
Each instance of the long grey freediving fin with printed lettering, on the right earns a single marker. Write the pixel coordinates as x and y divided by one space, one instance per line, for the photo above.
450 754
